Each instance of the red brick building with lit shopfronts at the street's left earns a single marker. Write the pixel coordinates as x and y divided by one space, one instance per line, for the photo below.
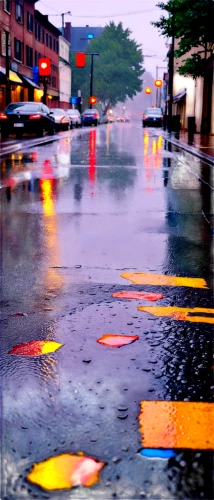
30 36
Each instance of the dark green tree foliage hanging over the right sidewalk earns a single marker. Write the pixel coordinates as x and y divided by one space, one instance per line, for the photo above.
192 23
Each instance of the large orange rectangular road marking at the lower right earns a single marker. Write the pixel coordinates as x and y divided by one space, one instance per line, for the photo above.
177 424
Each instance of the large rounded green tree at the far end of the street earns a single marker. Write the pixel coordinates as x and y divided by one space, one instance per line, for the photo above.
117 70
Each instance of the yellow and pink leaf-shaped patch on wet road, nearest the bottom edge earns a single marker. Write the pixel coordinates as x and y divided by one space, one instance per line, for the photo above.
65 471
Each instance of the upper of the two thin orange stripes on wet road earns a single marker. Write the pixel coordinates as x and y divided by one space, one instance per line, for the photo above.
163 280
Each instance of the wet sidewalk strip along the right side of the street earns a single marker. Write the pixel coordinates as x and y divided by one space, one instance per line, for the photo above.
197 144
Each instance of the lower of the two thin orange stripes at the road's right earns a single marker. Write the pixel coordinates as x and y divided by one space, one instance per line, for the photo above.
180 313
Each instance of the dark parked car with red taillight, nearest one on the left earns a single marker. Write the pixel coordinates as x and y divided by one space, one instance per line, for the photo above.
26 117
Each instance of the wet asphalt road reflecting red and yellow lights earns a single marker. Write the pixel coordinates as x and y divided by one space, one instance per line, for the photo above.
75 214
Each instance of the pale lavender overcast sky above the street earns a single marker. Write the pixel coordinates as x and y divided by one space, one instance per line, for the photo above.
134 14
